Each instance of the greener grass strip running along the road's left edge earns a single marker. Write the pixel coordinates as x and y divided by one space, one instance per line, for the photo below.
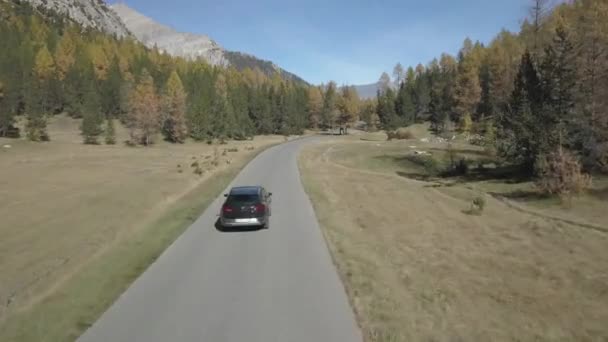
67 313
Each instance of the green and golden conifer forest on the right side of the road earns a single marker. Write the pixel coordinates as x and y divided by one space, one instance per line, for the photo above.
538 98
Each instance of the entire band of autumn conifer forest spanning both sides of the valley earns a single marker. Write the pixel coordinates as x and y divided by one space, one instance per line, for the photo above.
532 97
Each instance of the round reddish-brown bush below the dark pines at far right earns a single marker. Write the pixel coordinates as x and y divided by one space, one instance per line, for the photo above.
560 173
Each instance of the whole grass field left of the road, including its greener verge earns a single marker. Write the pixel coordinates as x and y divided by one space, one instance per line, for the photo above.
79 223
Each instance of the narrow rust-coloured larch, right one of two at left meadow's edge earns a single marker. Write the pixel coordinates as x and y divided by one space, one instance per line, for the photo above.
174 107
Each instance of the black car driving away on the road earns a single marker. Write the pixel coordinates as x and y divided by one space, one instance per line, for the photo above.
246 206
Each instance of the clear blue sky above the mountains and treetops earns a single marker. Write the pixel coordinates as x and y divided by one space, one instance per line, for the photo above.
350 42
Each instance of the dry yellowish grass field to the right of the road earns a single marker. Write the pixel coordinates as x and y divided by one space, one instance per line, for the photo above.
418 268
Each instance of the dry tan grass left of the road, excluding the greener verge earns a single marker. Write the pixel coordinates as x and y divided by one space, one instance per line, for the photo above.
64 203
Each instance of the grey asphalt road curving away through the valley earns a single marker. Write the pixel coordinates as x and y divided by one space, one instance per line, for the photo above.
273 285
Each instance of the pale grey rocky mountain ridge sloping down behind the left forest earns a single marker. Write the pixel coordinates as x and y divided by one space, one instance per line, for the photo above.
192 46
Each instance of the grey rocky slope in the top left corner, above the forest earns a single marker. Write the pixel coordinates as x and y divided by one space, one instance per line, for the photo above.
92 13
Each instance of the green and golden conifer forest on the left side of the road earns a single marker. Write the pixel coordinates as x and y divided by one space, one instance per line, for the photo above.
50 65
